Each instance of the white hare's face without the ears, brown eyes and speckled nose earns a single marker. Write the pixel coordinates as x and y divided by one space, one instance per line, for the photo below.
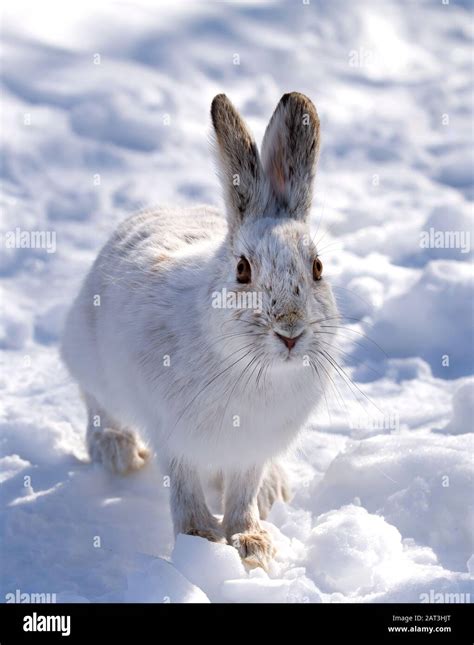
287 295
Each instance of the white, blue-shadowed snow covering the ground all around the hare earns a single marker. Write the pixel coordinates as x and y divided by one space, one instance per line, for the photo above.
105 111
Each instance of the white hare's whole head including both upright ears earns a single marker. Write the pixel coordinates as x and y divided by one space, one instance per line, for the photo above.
273 262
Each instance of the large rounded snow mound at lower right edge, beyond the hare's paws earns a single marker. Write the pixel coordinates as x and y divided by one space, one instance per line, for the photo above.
421 484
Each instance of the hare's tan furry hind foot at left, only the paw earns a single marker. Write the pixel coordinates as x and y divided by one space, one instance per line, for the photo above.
120 451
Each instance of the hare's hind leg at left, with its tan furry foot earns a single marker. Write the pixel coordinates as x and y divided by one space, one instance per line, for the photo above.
119 449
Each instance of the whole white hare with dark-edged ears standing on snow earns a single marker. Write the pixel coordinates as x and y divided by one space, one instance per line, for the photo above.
215 391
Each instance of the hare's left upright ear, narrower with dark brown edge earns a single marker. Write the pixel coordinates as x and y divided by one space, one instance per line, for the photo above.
240 168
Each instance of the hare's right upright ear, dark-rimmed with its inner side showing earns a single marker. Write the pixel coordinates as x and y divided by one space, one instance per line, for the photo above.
289 153
